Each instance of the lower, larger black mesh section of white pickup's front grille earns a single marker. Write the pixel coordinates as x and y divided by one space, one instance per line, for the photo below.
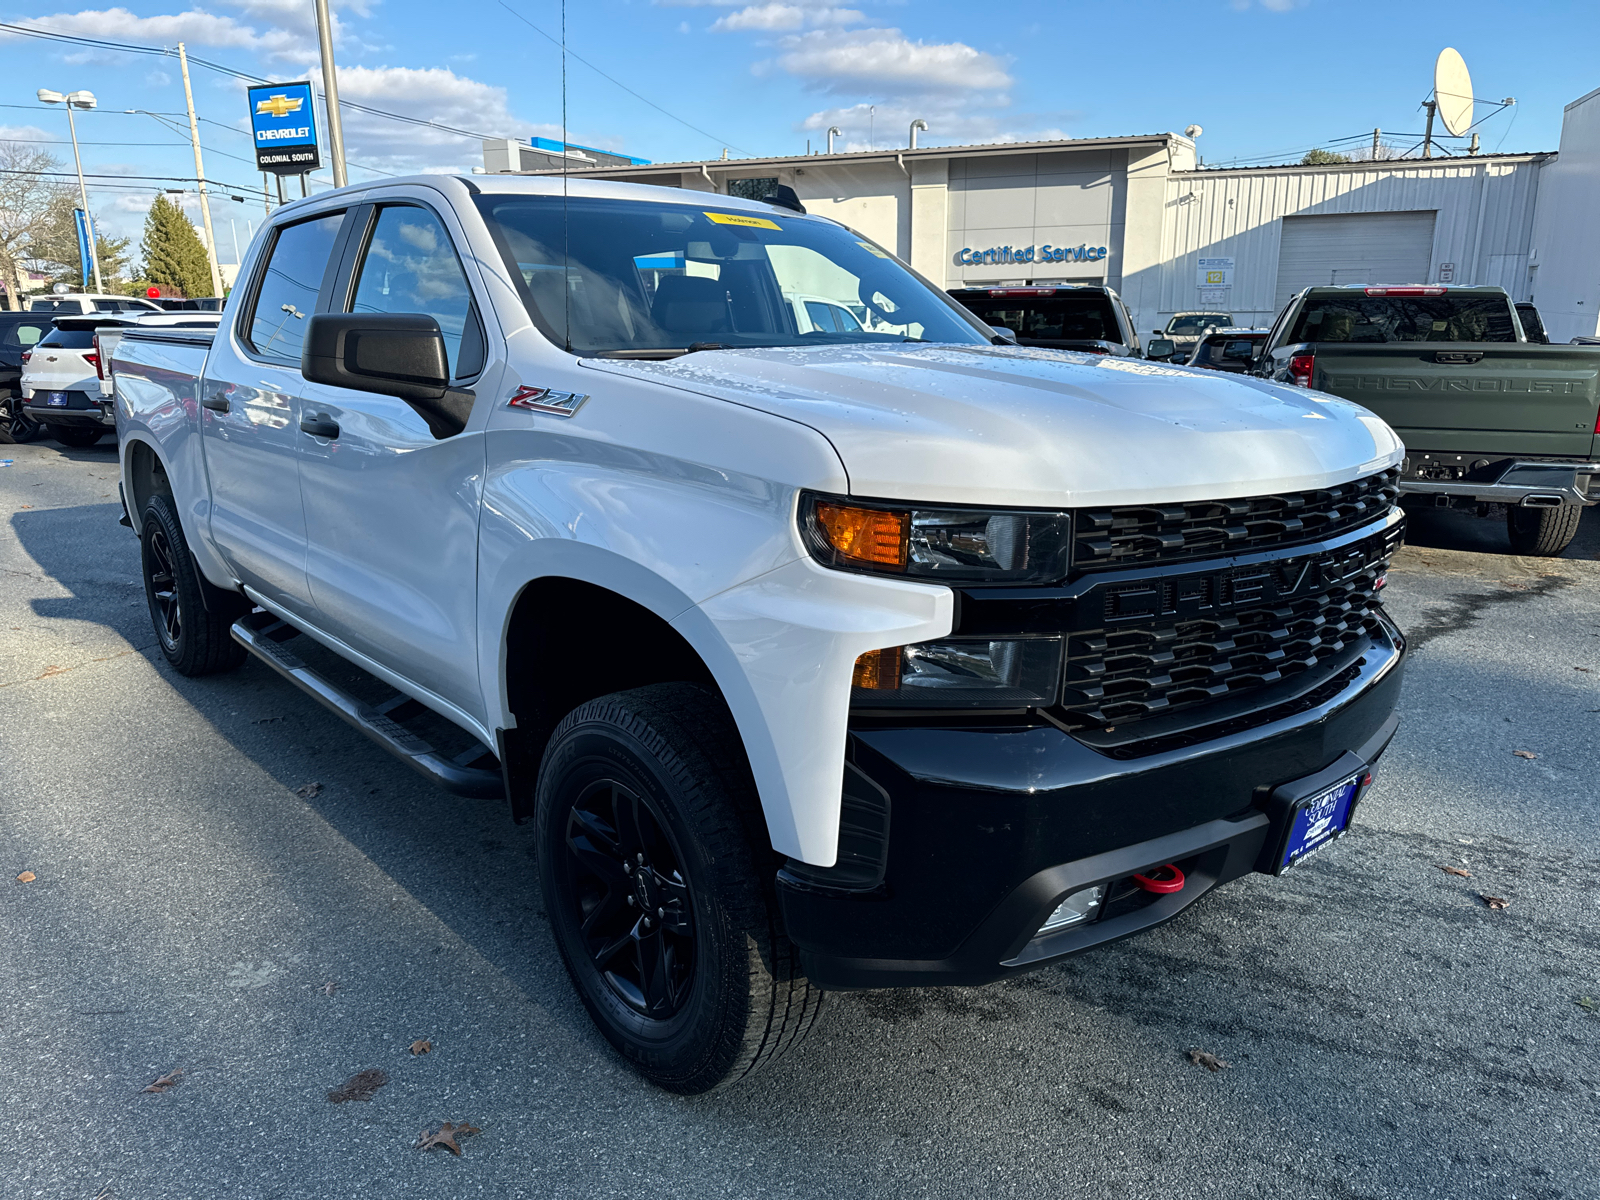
1132 671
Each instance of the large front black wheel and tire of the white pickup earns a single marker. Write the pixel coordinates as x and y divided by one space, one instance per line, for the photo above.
745 1002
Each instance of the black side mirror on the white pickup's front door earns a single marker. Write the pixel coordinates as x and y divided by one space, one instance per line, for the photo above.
399 354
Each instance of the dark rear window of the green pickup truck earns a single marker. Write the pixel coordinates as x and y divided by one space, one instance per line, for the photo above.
1406 319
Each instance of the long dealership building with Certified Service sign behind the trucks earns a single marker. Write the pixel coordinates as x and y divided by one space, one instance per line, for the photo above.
1138 214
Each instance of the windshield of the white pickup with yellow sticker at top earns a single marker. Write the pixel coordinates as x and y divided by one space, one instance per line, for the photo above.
654 279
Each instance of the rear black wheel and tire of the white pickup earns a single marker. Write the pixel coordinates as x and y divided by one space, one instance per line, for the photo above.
191 617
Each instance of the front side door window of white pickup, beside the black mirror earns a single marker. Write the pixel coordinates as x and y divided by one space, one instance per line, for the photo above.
412 266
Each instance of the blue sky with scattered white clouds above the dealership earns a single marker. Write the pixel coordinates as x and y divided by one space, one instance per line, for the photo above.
684 79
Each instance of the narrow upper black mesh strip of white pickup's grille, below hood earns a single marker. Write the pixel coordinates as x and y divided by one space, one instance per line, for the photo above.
1162 534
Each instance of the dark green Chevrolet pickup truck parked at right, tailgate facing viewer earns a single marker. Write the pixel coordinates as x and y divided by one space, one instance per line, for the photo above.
1486 415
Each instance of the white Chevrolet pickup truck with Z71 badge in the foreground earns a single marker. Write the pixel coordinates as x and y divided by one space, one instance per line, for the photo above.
820 657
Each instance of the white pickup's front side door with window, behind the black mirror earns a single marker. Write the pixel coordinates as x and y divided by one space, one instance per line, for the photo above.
391 511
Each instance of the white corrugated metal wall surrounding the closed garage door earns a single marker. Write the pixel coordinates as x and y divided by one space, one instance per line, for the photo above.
1486 222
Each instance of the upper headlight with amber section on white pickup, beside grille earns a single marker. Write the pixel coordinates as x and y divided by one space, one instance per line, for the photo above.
978 546
